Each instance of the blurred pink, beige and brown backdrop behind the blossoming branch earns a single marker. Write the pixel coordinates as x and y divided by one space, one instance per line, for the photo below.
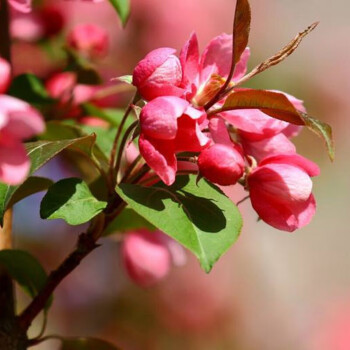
272 290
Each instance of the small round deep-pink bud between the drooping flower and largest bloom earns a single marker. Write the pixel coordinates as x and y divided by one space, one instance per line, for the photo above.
221 164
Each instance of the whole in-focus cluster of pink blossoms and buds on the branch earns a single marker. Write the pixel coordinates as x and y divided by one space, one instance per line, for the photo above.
243 146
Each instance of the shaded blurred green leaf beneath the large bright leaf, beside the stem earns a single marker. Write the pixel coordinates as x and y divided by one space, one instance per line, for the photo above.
128 220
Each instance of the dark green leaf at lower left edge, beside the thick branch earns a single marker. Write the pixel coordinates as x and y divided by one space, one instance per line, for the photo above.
25 270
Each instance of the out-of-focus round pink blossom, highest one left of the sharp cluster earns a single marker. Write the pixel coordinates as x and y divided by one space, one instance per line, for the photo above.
89 39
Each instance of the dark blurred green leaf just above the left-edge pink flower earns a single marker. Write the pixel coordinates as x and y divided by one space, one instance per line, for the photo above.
29 88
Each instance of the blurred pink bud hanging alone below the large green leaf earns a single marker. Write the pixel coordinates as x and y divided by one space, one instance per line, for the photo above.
146 257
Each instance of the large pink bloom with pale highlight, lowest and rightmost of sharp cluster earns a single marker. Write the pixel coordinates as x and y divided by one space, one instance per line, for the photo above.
280 191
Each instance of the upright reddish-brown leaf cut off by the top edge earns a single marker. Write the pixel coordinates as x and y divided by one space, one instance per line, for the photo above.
241 27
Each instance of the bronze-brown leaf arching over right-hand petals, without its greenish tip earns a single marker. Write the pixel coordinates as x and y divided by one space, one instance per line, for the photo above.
271 103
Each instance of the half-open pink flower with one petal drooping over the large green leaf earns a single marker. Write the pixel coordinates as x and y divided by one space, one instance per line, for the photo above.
169 125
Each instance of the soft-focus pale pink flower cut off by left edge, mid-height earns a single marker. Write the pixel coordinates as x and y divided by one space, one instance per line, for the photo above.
18 121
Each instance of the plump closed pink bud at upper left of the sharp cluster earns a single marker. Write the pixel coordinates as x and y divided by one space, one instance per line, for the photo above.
158 74
